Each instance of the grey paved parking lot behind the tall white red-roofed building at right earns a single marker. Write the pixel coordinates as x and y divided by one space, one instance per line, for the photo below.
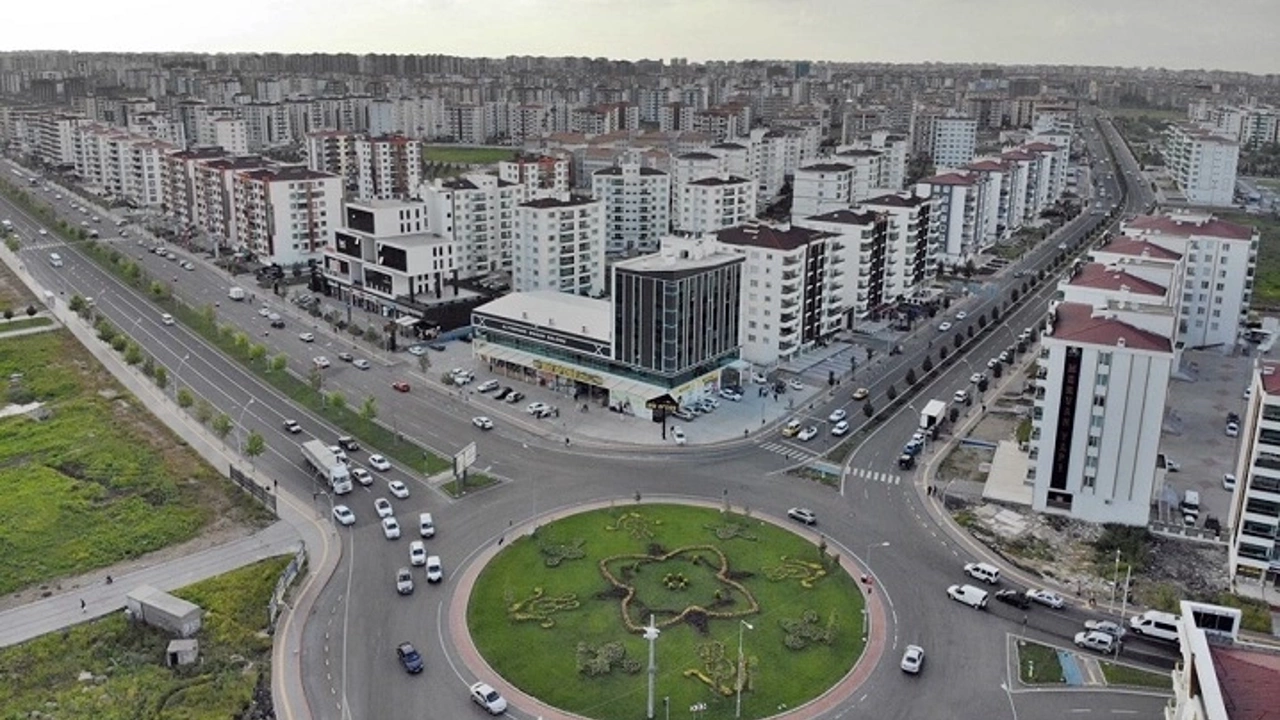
1195 431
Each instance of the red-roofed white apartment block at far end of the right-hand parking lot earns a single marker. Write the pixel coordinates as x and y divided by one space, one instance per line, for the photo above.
1222 259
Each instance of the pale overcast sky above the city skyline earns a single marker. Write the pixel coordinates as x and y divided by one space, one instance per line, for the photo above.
1237 35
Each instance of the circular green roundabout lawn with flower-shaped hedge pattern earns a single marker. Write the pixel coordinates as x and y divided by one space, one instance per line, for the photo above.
560 613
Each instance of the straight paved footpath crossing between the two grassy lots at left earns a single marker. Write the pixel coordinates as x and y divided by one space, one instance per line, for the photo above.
63 610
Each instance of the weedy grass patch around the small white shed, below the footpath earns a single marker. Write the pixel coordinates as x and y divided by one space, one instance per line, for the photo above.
127 662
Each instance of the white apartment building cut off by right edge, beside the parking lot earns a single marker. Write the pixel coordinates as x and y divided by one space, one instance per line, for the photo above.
1254 521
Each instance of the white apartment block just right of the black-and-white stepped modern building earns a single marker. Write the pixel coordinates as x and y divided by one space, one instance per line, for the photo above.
482 215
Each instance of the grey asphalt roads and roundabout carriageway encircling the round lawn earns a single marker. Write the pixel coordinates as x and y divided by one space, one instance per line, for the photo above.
349 660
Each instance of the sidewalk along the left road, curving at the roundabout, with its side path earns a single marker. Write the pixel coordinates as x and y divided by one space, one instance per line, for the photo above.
299 520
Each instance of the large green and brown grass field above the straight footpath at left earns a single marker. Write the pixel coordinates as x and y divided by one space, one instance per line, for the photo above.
98 463
